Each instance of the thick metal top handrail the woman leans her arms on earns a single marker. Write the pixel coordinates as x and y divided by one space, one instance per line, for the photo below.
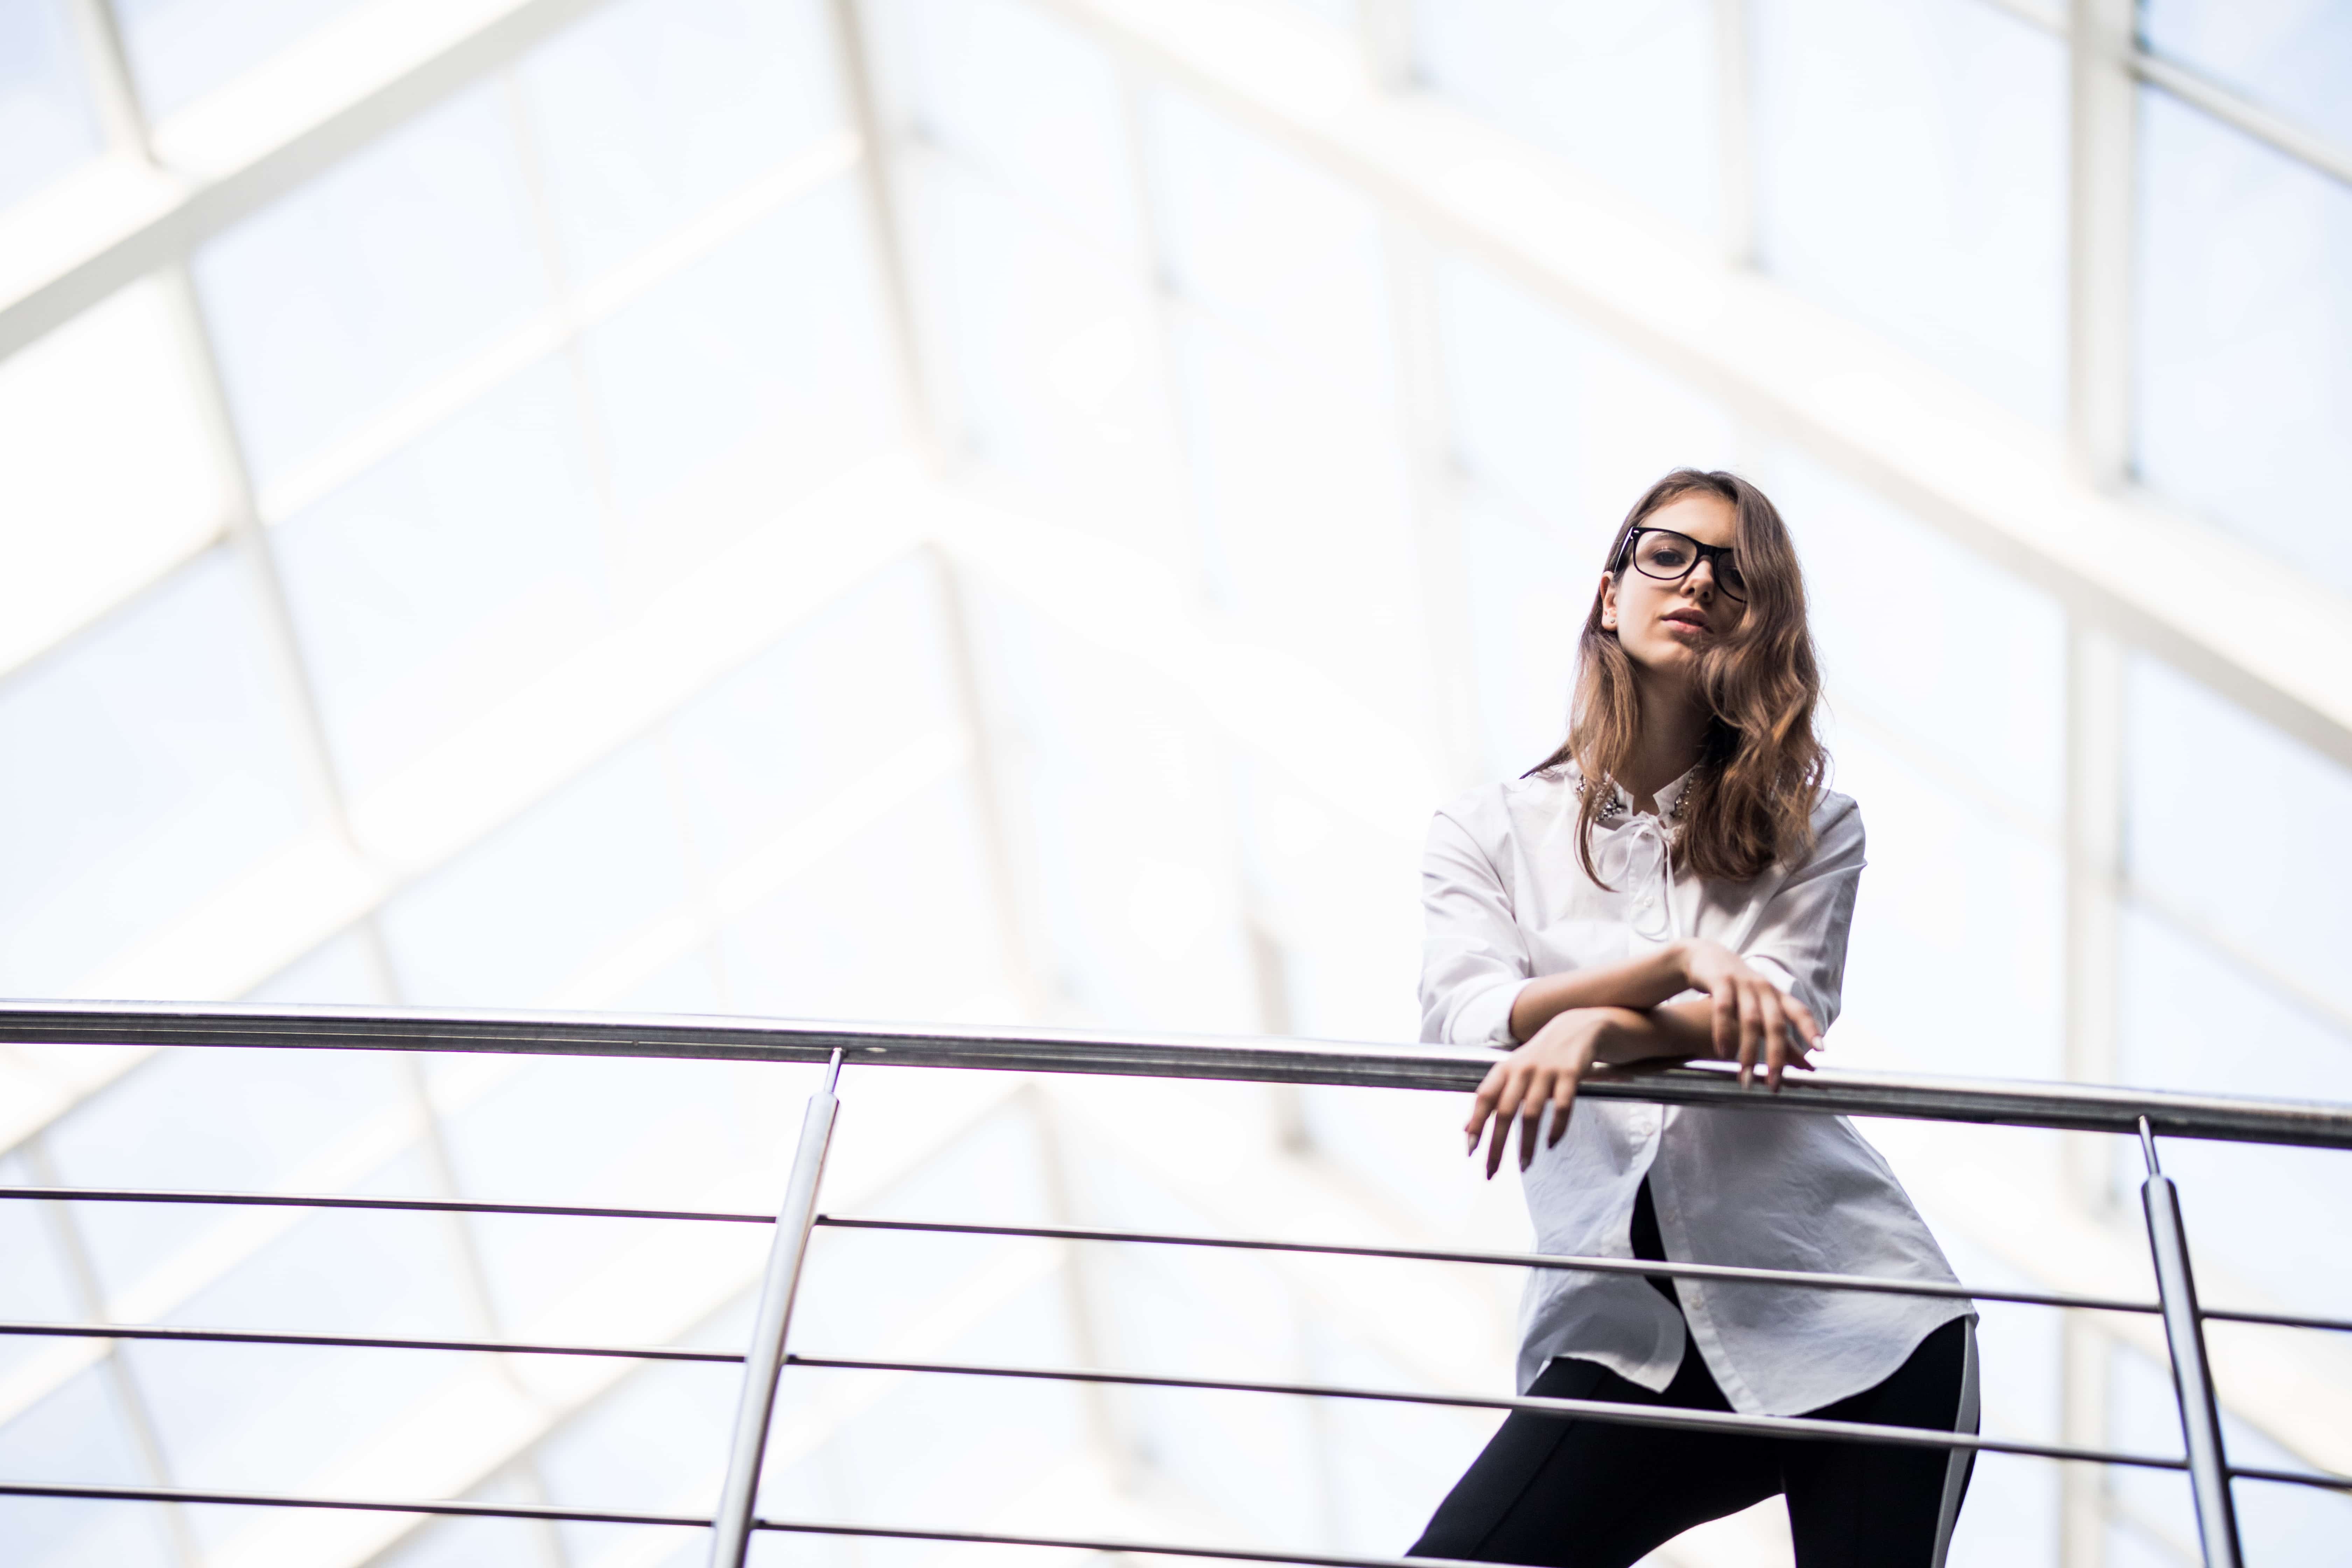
1859 1094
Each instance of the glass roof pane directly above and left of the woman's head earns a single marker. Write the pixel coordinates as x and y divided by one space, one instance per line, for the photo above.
1558 420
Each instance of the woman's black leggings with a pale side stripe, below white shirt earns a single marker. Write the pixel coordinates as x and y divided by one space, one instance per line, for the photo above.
1584 1494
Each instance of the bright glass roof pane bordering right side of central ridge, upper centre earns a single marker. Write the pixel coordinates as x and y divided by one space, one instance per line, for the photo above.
1055 363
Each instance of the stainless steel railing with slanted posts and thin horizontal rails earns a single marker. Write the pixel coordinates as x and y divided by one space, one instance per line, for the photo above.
2047 1106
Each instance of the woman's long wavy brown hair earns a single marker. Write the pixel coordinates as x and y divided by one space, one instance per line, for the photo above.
1751 803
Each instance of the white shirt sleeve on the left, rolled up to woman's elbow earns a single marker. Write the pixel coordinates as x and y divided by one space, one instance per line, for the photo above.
1474 958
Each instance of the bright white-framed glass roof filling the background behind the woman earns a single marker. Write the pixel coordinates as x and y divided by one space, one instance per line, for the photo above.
1015 511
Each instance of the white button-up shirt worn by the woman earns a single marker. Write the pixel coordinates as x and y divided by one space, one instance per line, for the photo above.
1506 902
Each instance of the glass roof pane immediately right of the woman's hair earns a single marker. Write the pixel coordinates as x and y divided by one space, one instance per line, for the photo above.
1923 638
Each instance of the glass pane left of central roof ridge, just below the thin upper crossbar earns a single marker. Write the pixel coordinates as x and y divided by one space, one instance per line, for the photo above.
749 377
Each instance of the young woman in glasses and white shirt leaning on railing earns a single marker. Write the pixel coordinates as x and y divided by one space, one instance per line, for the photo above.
1678 883
